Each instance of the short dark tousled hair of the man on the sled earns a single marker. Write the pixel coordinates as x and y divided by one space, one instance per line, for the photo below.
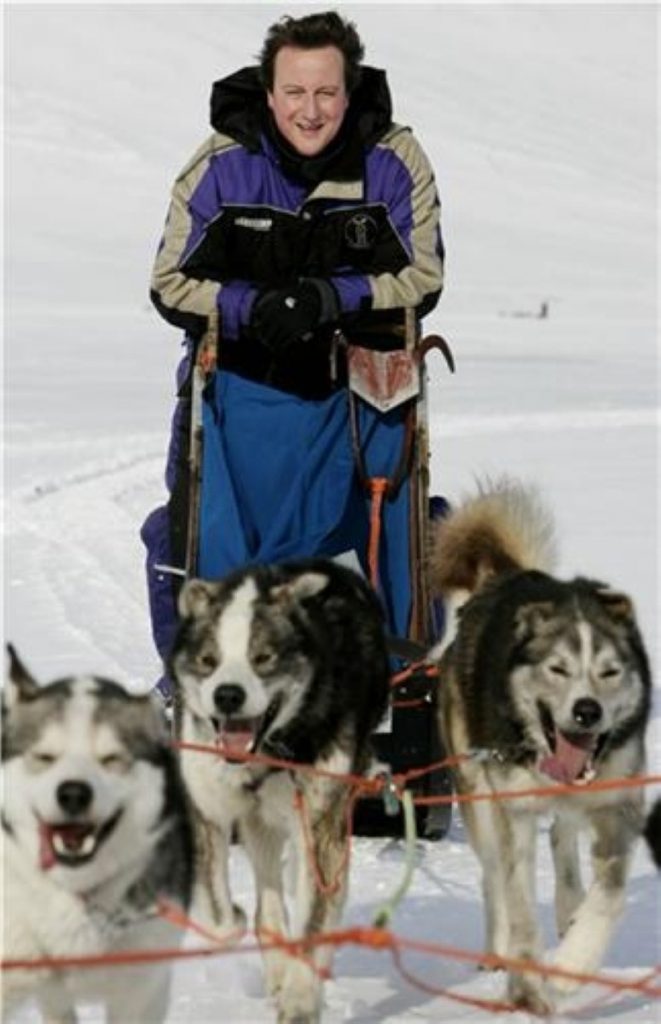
313 33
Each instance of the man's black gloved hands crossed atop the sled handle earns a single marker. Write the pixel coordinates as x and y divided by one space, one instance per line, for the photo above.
281 316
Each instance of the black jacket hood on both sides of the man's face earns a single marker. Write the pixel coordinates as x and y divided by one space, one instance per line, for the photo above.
239 107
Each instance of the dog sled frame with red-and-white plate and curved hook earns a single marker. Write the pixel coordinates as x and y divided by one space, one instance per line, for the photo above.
392 382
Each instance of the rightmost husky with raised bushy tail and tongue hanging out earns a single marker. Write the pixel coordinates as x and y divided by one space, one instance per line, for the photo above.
545 682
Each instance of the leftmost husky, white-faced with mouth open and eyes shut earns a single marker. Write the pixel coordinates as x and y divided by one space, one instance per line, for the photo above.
96 833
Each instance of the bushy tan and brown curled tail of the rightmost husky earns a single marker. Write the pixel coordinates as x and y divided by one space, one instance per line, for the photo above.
505 527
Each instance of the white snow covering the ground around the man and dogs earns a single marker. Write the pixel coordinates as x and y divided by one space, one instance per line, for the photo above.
541 123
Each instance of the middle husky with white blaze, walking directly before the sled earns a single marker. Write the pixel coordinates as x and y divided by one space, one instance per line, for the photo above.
290 662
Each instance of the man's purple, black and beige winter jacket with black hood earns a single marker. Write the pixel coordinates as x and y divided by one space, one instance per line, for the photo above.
249 212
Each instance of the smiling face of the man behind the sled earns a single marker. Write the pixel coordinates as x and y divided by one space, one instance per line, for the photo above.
310 99
